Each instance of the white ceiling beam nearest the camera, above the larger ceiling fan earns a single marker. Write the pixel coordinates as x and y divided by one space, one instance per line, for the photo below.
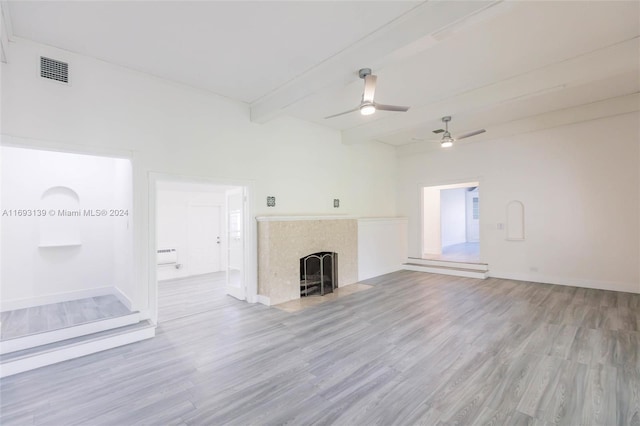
414 31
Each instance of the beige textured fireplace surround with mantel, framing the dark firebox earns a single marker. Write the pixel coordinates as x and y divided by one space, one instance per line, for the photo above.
283 240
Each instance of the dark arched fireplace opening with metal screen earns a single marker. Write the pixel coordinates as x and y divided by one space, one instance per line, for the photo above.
318 274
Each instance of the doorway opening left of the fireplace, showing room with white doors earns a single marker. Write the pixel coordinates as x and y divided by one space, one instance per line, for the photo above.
200 246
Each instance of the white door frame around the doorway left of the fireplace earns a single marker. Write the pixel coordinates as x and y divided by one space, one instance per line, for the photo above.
250 255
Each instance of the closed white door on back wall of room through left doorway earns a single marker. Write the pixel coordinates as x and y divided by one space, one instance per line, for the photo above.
203 239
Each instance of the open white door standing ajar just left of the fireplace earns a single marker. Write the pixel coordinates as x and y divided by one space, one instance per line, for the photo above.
235 243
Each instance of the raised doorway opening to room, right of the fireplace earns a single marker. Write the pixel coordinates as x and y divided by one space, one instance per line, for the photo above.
451 222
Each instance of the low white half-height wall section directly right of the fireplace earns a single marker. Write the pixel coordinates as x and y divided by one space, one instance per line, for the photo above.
382 246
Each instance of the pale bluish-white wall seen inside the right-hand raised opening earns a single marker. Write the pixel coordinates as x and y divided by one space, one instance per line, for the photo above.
453 216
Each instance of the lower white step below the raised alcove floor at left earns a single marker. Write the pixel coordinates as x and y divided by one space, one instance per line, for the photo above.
52 353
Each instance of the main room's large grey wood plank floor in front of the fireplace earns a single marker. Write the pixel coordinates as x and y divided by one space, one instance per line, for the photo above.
415 349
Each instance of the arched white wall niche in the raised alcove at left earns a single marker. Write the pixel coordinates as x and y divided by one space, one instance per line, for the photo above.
59 225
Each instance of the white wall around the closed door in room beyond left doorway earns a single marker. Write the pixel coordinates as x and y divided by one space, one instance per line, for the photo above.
172 226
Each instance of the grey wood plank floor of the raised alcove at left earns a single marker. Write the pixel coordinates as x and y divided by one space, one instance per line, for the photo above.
54 316
